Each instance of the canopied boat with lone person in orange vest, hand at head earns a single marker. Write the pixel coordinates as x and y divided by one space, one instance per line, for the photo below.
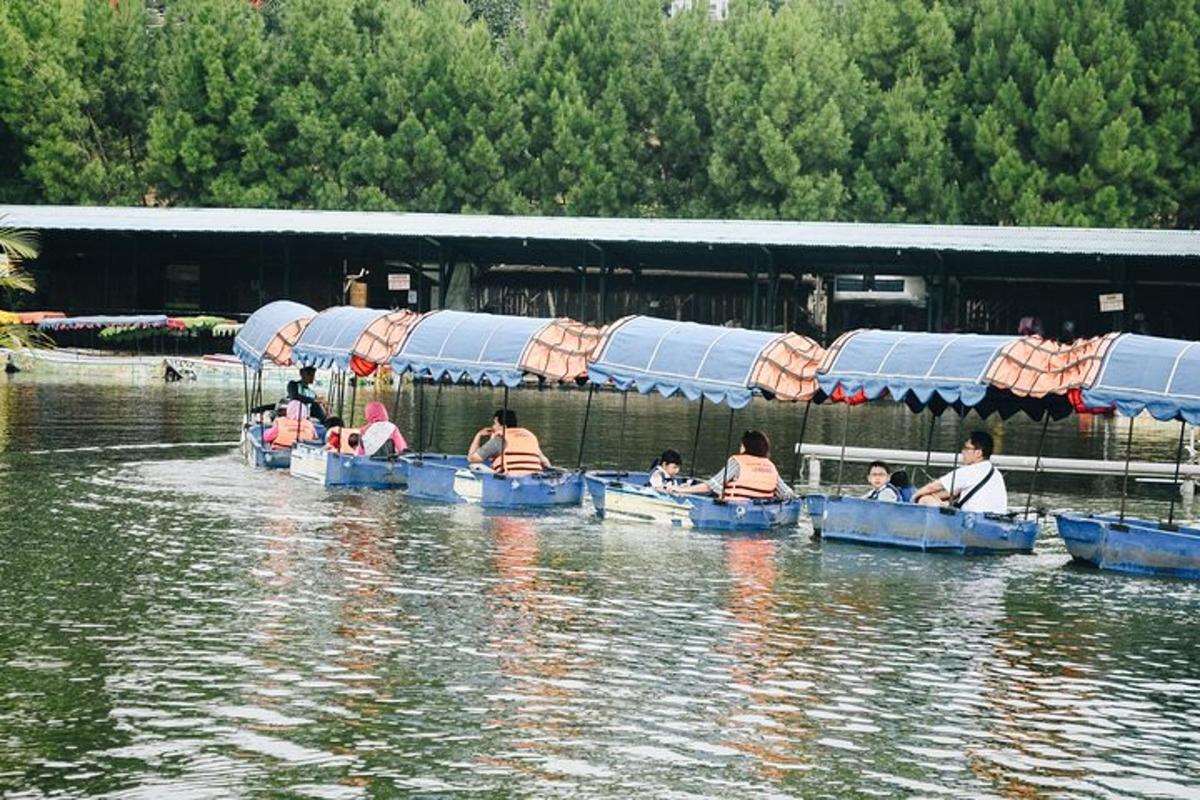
500 351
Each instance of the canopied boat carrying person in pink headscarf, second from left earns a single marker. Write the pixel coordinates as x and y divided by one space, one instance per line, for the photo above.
350 341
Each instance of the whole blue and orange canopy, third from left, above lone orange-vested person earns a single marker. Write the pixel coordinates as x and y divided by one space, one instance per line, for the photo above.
496 350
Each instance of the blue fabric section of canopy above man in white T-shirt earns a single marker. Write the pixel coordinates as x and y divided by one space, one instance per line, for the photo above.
920 369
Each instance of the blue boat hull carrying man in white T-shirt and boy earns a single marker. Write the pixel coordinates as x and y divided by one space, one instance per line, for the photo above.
917 527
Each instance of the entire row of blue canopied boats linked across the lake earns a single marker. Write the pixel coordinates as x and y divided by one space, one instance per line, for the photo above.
1121 374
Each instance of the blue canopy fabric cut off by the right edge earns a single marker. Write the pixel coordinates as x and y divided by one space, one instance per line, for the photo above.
1153 375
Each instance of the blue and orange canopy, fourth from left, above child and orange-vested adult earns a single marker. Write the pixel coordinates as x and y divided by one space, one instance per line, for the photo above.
724 365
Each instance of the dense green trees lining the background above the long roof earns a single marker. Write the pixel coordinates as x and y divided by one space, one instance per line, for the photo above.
1011 112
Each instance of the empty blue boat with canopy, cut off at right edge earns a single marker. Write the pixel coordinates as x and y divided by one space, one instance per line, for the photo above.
1142 375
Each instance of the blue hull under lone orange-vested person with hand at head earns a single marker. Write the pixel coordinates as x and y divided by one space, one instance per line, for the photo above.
448 479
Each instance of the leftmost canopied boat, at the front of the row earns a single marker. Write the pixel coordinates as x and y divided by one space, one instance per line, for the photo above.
267 340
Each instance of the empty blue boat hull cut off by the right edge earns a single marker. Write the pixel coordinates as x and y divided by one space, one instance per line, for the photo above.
1135 546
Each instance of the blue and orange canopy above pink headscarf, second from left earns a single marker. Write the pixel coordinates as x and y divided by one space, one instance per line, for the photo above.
346 338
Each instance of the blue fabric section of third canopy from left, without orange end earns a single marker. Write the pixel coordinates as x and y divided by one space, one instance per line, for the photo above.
460 346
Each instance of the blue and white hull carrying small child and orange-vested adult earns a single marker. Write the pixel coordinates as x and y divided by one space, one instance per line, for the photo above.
628 496
